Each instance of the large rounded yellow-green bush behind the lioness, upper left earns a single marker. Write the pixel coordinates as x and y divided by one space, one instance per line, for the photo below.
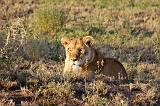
47 19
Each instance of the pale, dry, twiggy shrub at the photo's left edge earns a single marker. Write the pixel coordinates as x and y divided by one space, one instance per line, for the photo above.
13 38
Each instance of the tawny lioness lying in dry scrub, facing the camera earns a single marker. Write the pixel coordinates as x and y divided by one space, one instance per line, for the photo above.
82 59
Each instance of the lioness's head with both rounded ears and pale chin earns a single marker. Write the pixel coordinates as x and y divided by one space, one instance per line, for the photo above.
79 51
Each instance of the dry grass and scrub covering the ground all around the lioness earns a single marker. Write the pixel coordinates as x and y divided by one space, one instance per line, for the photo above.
32 58
